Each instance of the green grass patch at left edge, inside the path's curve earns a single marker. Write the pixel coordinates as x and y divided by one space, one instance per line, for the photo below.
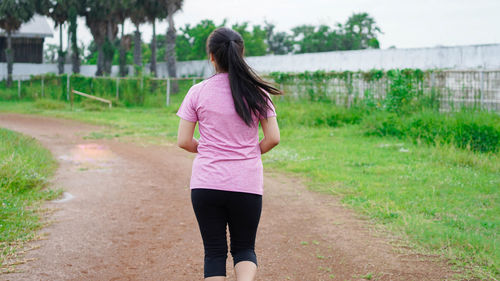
25 167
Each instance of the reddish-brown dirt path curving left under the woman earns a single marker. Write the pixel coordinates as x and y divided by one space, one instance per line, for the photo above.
131 219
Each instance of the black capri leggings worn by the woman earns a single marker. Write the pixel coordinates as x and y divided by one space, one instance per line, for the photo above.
216 209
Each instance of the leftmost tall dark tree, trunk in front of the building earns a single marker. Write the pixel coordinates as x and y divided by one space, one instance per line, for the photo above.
12 14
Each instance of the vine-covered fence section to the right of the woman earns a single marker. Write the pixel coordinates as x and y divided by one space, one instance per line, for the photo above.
448 89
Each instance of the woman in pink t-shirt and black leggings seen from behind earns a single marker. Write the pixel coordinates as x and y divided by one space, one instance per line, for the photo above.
227 181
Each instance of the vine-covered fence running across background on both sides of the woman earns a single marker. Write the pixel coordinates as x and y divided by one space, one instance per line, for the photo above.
446 89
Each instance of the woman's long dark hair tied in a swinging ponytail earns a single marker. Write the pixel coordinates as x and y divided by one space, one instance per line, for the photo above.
247 88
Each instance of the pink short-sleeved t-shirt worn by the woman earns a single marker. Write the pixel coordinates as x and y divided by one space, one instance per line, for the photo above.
229 155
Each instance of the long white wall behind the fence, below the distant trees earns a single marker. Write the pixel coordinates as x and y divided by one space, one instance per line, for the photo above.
460 57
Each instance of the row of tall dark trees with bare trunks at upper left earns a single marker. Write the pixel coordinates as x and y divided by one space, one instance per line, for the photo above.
104 19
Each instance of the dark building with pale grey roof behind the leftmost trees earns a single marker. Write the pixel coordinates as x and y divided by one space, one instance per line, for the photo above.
27 42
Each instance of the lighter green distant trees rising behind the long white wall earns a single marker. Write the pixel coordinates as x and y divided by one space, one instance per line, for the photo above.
358 32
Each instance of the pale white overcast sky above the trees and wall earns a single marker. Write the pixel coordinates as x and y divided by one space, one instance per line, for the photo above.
404 23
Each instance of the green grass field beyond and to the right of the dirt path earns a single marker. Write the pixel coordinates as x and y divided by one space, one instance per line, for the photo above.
443 199
